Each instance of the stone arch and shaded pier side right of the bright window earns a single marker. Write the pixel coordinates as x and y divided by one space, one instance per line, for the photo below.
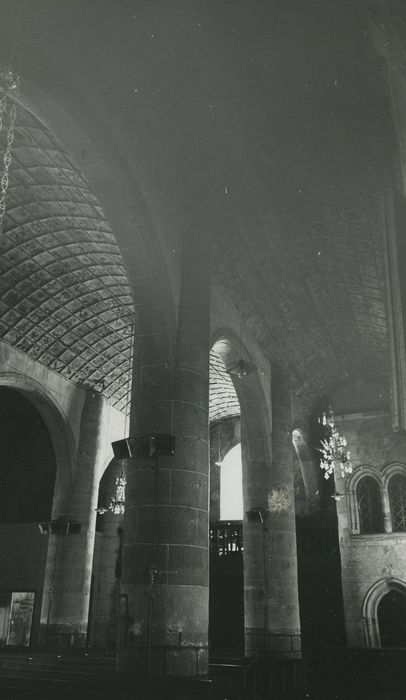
256 469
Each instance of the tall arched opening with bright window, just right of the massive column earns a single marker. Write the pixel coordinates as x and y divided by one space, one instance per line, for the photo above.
226 602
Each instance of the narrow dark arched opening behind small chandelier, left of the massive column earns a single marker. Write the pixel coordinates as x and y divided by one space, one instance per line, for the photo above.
107 560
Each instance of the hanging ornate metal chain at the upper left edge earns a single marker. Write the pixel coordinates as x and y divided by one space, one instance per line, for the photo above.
9 83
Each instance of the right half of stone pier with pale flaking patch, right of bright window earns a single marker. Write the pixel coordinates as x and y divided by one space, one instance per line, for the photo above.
283 623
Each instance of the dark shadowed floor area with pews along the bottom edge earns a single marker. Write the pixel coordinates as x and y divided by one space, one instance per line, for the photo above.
333 675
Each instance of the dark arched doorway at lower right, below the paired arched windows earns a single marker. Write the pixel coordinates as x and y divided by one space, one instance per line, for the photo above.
392 618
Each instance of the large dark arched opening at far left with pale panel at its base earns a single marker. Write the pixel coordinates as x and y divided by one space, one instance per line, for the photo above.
27 479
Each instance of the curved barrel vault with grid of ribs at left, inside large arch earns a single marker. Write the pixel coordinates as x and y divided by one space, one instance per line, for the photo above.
64 299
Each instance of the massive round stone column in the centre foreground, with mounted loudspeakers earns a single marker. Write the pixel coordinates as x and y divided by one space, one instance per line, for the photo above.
164 625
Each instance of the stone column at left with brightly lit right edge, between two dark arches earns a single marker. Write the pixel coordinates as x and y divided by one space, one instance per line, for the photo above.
68 575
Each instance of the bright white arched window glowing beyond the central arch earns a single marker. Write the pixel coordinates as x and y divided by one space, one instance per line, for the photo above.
231 507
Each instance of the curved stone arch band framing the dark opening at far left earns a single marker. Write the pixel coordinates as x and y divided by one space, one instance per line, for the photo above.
59 429
